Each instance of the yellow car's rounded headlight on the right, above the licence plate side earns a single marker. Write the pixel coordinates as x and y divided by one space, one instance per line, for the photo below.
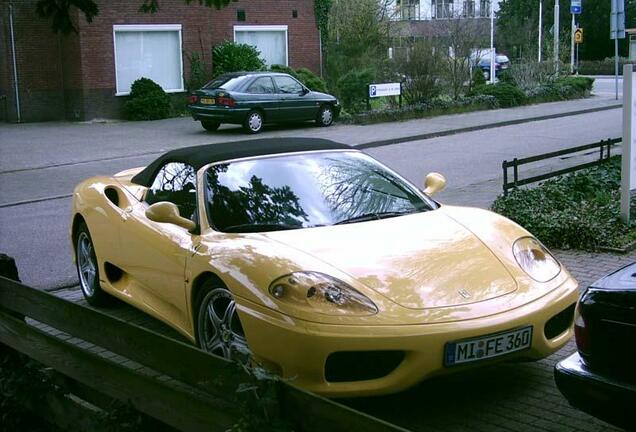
535 259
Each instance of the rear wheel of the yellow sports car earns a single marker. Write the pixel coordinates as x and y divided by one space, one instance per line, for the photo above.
88 269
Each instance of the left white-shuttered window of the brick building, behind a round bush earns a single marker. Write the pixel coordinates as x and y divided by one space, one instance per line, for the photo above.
148 51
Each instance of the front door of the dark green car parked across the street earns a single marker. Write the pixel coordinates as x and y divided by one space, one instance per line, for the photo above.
295 102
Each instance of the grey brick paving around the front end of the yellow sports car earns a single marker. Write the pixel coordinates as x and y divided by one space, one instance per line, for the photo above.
508 397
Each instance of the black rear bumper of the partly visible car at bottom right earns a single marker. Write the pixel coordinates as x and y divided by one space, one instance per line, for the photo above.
604 397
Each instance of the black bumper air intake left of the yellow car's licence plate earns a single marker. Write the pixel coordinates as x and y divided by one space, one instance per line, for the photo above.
344 366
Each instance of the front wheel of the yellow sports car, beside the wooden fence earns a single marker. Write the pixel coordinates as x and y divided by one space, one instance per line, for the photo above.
218 327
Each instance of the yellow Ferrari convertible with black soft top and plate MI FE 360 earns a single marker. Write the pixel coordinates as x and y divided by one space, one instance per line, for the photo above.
319 263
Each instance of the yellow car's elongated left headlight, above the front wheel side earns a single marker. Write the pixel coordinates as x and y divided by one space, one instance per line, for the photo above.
318 292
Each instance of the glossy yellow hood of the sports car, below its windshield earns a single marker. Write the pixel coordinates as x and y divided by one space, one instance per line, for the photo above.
419 261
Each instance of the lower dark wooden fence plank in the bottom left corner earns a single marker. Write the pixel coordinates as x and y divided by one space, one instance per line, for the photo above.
185 410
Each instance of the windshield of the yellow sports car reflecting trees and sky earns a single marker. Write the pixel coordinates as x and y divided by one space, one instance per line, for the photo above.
306 190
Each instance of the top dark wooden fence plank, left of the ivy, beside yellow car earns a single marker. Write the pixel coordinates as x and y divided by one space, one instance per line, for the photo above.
205 371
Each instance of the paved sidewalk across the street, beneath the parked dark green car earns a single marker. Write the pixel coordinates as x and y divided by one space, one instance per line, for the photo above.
65 143
